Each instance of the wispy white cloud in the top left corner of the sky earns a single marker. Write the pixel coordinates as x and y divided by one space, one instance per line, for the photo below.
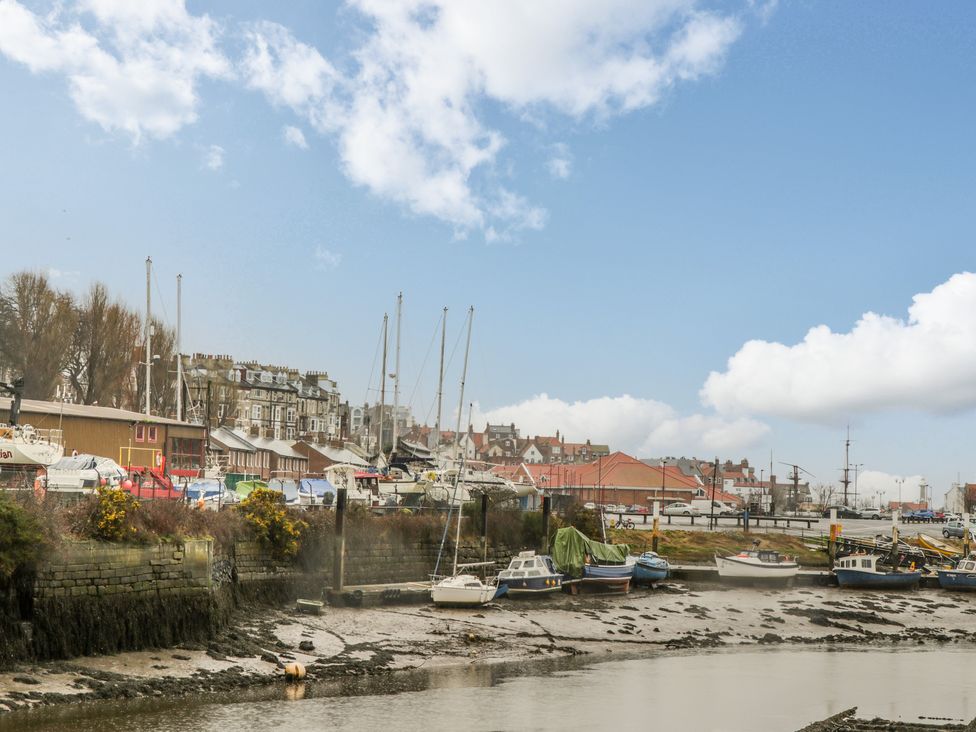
134 71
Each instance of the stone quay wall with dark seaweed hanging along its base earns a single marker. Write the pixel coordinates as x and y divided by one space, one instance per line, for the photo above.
95 598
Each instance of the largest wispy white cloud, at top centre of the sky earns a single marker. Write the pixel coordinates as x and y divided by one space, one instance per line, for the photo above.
409 114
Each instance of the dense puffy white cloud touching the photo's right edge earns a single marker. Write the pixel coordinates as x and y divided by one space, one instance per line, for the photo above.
924 363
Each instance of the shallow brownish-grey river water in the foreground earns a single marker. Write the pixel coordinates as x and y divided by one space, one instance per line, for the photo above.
766 689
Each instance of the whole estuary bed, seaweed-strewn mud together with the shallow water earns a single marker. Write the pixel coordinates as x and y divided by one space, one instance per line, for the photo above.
706 659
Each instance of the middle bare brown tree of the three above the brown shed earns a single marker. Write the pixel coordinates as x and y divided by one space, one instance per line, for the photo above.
102 352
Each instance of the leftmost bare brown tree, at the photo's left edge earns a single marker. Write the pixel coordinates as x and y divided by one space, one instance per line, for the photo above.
36 327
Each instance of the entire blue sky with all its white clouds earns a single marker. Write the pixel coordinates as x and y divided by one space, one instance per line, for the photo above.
686 227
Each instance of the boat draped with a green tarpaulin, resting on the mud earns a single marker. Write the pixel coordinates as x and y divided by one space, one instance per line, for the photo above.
594 564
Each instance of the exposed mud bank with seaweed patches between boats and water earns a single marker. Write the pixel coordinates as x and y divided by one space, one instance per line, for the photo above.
347 643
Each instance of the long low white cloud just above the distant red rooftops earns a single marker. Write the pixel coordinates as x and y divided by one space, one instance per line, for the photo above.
637 426
